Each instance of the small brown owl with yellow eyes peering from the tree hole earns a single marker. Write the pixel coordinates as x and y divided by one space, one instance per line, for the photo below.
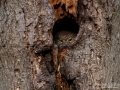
64 38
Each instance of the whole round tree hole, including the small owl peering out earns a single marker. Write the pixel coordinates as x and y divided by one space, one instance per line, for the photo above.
65 30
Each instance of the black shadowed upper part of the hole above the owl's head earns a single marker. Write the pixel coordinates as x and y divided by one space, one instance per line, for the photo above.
65 24
